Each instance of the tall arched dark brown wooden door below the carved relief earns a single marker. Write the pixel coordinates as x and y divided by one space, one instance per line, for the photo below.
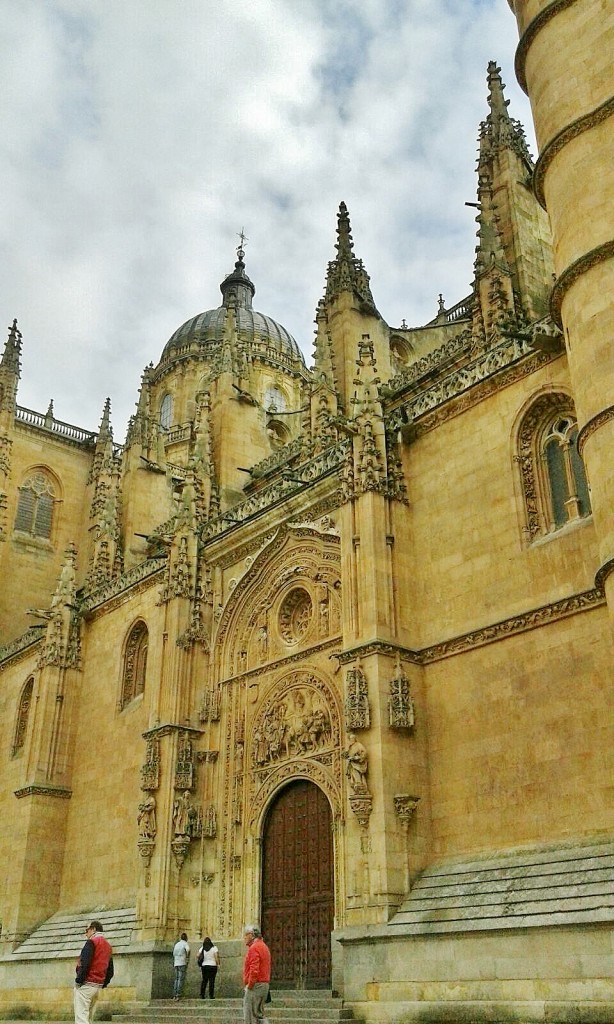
298 887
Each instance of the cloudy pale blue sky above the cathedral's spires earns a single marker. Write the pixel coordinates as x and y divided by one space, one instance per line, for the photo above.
141 137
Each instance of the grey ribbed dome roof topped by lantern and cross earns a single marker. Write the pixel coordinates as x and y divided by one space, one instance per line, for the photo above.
210 327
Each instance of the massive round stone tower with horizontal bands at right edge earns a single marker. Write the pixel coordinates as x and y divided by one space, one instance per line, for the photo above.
564 62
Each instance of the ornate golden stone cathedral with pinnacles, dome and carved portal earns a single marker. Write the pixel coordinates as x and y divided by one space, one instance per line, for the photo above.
329 649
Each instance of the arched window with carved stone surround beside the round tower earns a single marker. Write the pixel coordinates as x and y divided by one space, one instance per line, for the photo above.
554 481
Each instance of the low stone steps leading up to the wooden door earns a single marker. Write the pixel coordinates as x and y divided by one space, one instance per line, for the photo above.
287 1008
